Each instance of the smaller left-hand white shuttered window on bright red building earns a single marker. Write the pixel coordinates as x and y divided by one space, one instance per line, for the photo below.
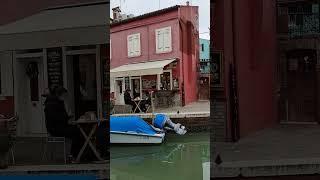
133 44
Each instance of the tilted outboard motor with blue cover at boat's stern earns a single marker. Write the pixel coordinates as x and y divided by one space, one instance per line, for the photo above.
162 121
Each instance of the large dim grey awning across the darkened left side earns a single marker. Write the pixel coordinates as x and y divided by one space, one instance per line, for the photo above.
82 24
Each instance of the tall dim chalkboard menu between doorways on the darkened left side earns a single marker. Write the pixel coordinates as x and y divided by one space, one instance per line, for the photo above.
55 72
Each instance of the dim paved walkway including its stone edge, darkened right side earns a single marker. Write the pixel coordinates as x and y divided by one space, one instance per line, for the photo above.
285 150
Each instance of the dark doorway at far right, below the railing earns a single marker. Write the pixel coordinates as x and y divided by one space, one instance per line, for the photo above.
301 106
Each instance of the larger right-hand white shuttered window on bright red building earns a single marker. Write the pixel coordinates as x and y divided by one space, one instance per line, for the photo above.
163 40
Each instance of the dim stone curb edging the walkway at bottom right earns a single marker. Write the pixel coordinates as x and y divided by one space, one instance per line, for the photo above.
260 168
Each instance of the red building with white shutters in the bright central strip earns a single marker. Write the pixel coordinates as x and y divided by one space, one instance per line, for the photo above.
157 51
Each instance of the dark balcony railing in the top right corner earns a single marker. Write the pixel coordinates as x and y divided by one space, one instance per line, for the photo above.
301 25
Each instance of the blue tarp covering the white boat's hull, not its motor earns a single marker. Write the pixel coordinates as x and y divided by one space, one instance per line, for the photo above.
130 123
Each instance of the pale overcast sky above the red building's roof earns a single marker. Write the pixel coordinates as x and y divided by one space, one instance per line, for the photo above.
138 7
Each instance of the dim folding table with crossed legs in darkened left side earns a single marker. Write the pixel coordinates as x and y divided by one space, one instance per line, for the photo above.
80 123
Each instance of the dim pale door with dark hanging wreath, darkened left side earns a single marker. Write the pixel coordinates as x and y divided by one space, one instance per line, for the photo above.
29 78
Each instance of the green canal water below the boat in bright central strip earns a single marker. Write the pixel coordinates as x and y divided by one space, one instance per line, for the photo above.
178 158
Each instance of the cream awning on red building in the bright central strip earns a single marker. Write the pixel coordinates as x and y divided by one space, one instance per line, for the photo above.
140 69
